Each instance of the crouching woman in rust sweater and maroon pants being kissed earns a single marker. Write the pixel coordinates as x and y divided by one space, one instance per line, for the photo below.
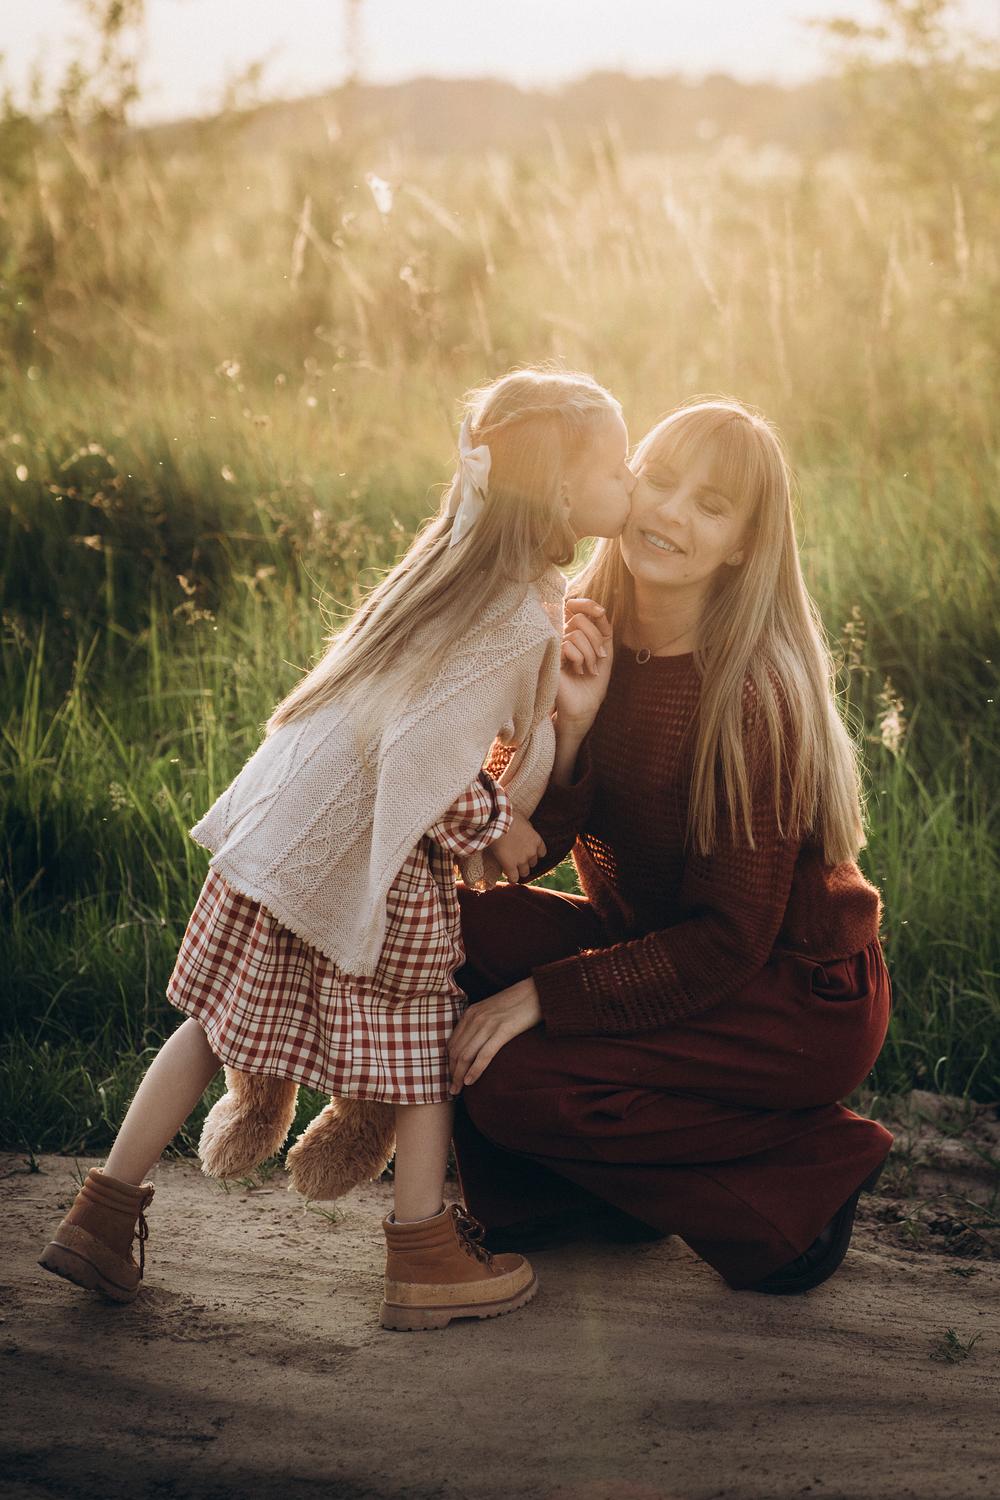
675 1042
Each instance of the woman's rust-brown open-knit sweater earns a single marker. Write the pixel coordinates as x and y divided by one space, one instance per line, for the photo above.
686 932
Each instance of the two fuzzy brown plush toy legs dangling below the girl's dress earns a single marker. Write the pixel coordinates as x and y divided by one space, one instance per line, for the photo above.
349 1142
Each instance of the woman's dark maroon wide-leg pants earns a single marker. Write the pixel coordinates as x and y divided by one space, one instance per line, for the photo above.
725 1129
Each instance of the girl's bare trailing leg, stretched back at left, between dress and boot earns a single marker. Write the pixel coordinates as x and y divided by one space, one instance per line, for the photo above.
178 1078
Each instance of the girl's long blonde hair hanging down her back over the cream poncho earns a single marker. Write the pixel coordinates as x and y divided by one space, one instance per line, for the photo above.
536 422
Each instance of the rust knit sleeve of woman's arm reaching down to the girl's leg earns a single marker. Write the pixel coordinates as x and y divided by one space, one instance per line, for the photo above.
732 904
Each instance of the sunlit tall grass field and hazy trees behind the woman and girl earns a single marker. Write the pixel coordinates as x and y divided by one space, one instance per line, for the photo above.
229 394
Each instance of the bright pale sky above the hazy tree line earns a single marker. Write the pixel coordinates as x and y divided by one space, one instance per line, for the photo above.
196 47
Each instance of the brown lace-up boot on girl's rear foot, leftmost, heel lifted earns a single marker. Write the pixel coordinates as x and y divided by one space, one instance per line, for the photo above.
94 1244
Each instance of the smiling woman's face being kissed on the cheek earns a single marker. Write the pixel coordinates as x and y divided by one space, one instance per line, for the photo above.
683 529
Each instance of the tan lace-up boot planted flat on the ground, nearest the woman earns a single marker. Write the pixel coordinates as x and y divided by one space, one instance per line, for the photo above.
439 1270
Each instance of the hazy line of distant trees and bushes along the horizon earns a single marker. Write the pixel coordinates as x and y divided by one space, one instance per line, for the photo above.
911 95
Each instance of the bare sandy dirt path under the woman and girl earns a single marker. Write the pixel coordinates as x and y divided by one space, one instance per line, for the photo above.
253 1363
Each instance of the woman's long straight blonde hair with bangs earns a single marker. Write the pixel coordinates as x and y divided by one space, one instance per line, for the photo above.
767 673
